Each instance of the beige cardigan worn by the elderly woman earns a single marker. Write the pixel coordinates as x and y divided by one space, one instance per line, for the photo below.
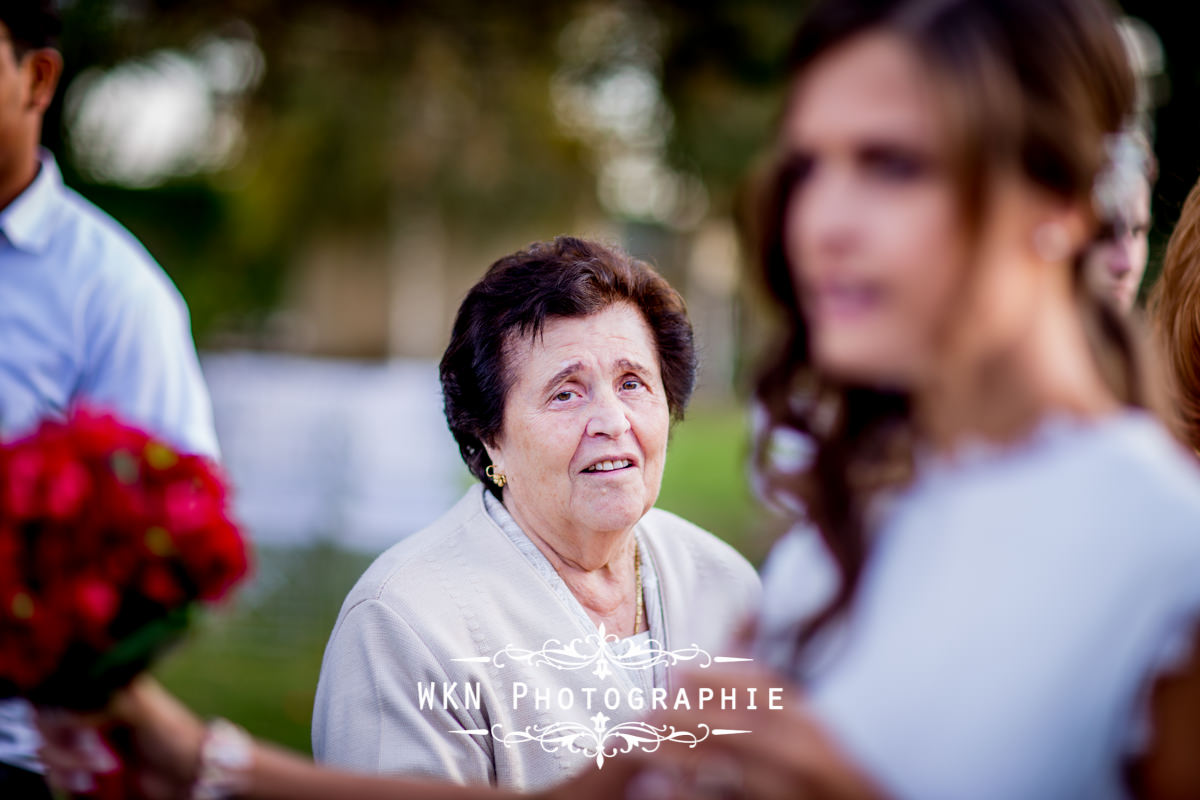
427 624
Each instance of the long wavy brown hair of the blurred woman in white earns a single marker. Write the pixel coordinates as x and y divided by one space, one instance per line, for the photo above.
1027 85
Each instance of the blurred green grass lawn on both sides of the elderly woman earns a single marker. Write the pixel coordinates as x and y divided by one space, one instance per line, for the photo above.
257 663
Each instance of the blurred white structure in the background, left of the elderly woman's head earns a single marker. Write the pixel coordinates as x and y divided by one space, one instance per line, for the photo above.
353 453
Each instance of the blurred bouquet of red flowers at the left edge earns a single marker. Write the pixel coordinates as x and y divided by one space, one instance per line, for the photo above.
109 539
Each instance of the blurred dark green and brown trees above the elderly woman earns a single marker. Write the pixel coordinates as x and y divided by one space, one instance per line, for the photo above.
371 113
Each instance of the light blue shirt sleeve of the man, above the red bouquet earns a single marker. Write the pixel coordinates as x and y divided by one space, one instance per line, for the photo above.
141 363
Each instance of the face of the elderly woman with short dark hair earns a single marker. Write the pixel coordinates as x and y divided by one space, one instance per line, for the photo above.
586 423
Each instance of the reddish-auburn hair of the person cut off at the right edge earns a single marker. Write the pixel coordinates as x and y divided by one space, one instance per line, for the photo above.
1175 316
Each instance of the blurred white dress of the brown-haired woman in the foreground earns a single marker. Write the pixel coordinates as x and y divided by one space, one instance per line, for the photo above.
1018 606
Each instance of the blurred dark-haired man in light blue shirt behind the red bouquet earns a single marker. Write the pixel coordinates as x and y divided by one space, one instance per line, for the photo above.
87 315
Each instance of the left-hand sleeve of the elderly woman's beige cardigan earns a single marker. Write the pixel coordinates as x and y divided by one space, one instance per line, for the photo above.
368 714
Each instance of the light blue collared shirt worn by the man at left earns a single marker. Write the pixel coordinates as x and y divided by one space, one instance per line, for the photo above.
87 316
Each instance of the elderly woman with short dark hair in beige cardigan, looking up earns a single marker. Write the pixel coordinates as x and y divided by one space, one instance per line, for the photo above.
543 609
